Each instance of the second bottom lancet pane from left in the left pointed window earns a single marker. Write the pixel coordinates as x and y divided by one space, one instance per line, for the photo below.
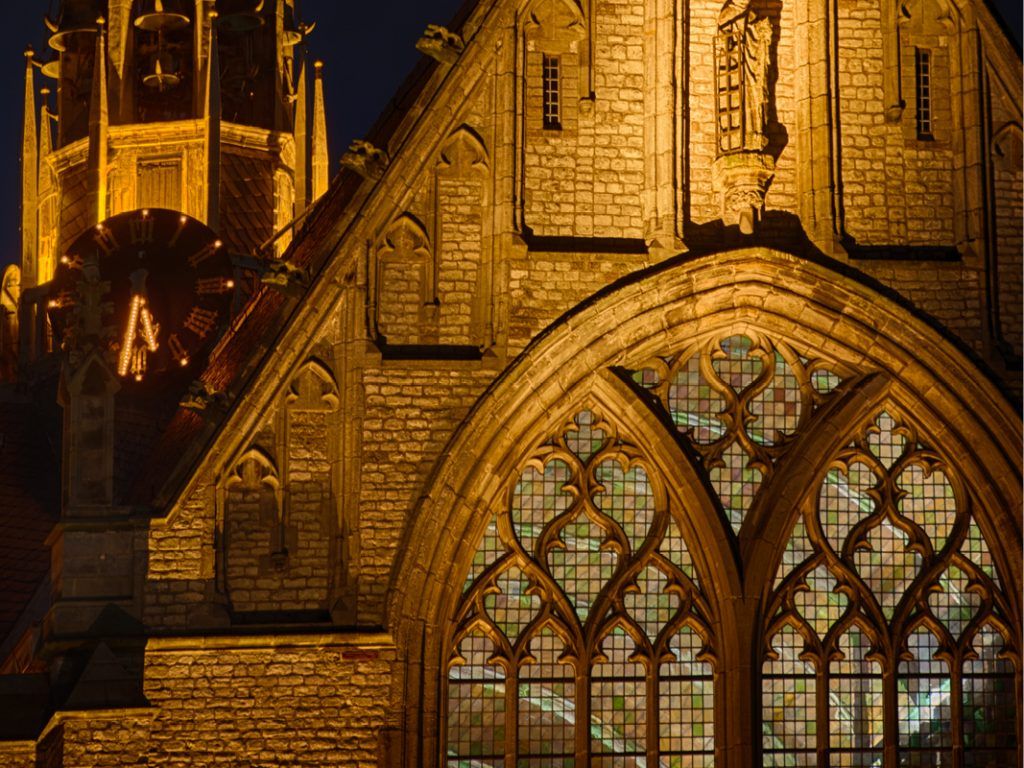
547 702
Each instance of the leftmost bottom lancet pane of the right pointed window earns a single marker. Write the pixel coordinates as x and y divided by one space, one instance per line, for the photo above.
788 701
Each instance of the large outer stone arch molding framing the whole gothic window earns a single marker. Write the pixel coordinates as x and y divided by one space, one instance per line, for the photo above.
806 304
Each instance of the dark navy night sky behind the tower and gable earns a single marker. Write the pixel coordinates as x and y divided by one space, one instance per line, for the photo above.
368 49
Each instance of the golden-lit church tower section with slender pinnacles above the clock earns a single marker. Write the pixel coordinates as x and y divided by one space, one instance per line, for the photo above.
199 107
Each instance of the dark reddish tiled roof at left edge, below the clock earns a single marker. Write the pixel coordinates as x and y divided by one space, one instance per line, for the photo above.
29 508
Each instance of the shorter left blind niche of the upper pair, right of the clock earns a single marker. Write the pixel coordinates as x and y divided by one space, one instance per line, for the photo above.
405 296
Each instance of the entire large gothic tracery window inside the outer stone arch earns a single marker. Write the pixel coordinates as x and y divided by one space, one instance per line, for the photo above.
591 630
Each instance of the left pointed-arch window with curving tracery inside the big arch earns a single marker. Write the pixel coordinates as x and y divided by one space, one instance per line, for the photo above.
583 634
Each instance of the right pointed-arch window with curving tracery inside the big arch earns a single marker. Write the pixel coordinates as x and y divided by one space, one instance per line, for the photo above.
889 601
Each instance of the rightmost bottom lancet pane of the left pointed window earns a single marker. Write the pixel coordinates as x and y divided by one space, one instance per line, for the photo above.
687 711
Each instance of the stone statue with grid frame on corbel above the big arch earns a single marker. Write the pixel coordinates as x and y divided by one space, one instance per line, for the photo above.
744 168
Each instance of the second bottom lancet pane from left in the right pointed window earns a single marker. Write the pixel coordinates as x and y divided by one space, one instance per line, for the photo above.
856 705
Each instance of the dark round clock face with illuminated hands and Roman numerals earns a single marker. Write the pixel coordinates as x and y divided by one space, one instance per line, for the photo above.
154 285
